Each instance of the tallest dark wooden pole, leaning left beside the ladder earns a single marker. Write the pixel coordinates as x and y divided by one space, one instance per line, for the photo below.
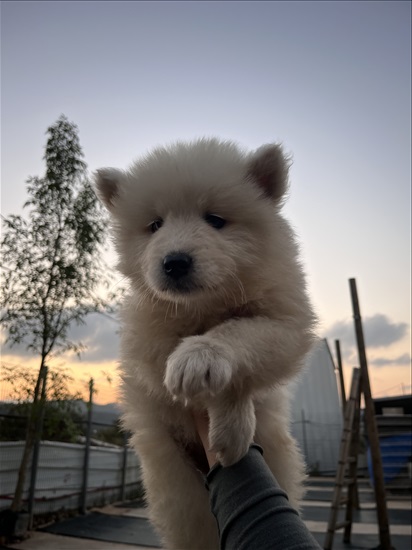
379 486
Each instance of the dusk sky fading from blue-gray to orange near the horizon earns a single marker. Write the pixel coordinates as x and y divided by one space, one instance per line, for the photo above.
331 80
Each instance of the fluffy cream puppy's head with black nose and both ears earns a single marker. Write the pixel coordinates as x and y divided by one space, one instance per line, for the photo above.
196 221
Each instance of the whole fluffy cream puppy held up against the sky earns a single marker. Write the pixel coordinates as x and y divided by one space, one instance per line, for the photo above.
217 318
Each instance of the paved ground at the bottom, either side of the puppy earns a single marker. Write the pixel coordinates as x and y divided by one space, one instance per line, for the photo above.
125 526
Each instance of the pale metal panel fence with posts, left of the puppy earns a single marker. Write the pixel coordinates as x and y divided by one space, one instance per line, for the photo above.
67 476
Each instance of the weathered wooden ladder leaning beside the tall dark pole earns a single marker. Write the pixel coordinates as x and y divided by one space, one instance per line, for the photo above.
346 475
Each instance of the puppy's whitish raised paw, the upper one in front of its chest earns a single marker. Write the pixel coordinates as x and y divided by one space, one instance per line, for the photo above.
198 366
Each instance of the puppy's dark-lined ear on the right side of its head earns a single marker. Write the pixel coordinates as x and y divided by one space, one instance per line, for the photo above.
269 168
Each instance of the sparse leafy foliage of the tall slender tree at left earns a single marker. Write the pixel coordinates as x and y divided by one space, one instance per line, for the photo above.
52 257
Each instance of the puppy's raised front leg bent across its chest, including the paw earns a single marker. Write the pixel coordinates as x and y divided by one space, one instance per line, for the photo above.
245 353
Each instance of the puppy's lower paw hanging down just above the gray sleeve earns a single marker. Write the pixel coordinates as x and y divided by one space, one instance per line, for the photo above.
231 430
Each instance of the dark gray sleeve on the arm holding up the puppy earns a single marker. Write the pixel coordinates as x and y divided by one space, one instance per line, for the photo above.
252 511
